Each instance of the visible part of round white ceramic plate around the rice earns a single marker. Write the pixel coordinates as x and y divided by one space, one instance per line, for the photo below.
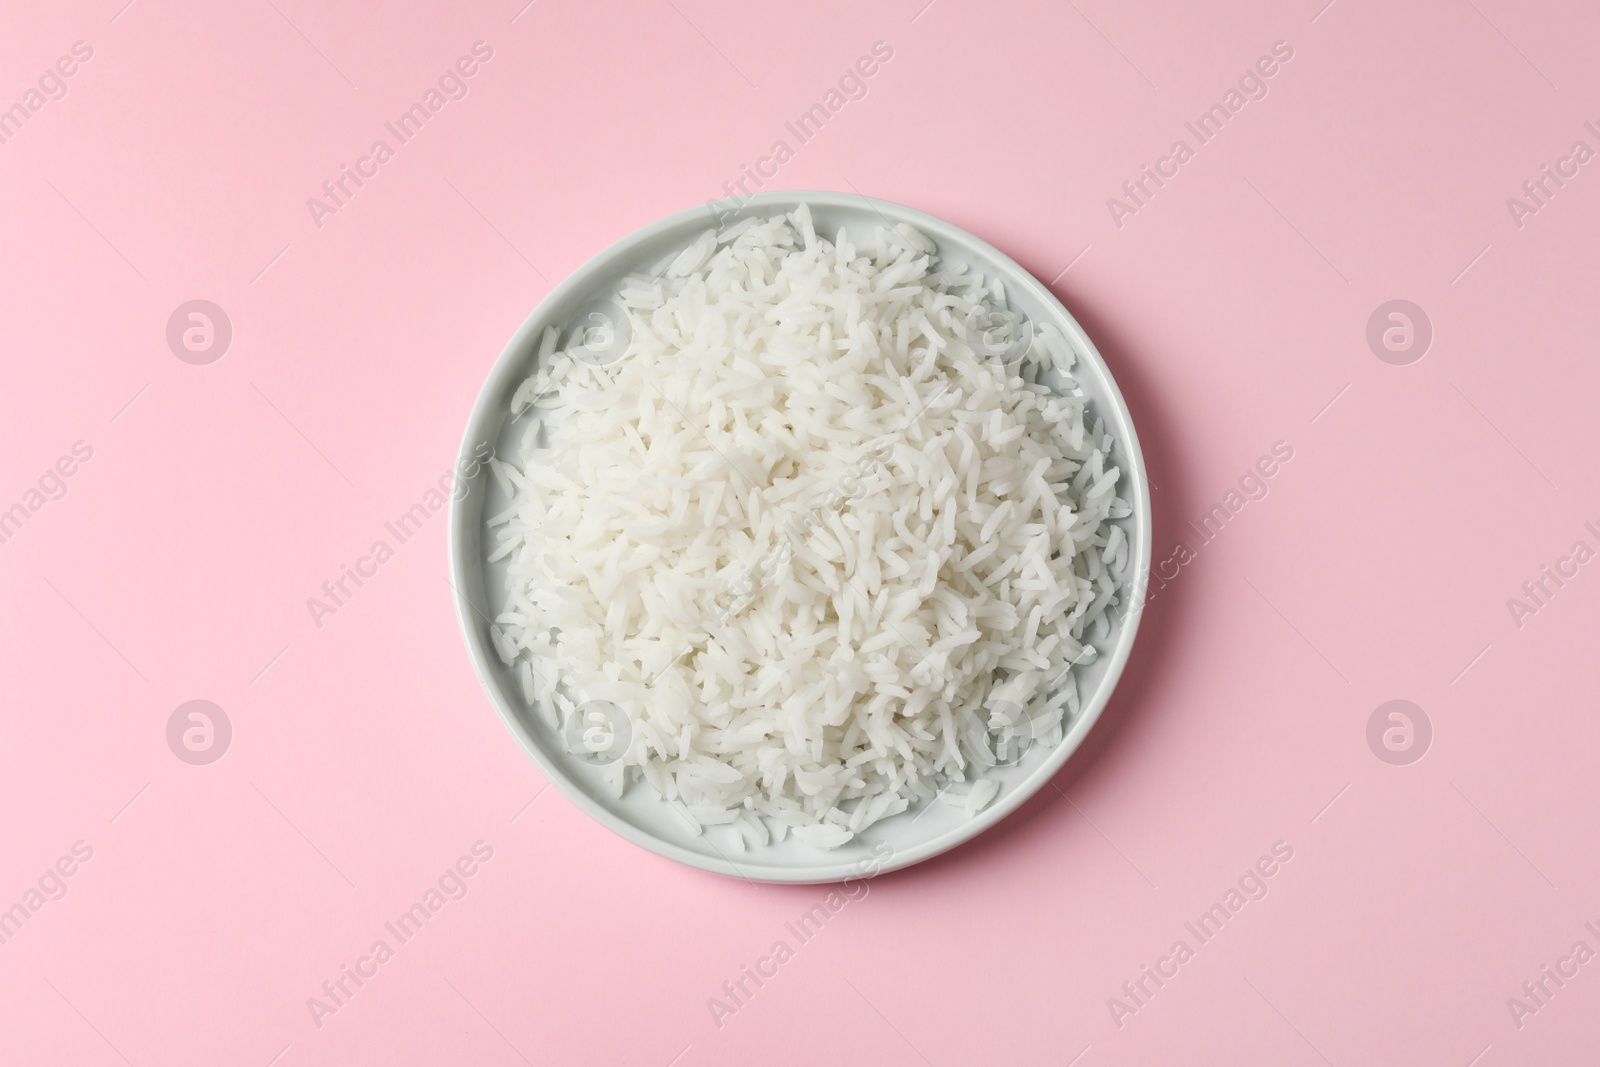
641 817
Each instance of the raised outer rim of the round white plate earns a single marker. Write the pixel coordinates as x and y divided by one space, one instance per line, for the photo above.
484 658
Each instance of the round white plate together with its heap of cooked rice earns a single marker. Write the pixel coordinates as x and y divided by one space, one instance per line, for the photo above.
801 541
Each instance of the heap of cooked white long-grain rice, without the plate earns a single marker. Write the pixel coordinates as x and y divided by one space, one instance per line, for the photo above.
812 533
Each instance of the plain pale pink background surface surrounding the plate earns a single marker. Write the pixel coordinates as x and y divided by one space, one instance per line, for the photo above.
1233 310
